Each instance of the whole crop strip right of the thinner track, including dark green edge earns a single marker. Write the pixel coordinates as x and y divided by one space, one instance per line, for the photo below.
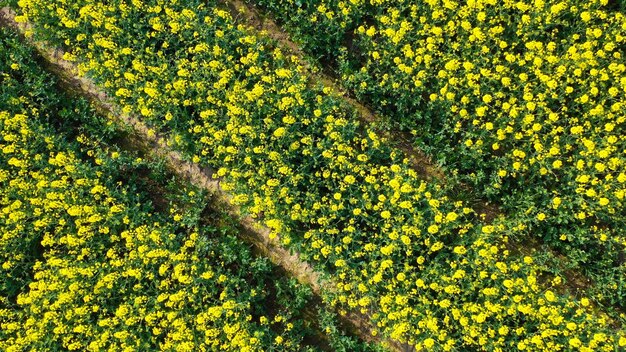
524 101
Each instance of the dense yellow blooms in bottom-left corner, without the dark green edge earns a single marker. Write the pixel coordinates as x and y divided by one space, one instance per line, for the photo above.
144 290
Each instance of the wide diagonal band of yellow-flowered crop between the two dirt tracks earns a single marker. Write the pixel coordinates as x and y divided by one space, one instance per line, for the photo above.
421 264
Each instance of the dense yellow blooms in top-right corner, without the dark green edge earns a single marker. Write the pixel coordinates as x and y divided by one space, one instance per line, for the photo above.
531 91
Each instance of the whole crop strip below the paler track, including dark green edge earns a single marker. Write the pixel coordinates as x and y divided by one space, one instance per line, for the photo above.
91 261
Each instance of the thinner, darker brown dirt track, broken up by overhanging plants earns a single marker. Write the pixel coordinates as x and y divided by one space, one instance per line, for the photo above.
264 23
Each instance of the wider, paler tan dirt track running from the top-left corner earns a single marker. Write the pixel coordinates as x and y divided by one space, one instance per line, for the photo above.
251 230
